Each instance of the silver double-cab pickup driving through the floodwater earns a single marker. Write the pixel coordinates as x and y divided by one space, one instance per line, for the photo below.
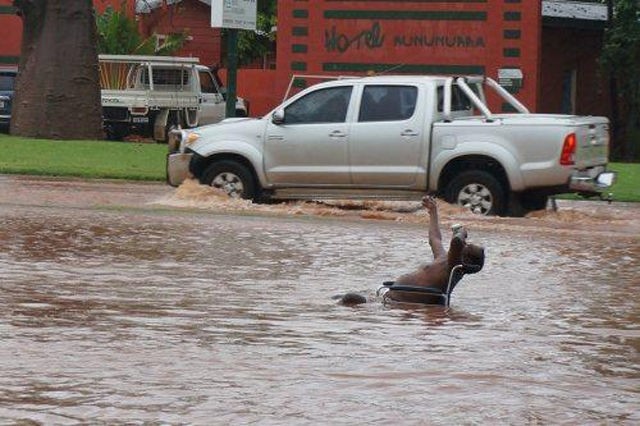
399 137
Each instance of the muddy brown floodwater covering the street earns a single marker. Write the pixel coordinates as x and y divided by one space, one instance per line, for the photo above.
130 303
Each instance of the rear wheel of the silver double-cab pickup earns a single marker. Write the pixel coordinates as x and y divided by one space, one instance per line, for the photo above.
478 191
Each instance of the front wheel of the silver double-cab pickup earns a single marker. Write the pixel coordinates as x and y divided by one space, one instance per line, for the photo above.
231 177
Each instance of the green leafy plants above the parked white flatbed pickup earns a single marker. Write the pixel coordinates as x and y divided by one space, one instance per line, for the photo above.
118 35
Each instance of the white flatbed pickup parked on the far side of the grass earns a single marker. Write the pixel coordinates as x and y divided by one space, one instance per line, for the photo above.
151 95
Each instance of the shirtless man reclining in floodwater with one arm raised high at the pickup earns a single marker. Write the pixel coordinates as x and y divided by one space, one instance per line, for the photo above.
436 274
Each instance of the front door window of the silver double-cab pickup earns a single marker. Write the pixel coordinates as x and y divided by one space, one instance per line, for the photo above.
321 106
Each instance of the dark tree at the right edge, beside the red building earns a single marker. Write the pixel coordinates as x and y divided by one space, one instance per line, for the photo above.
620 58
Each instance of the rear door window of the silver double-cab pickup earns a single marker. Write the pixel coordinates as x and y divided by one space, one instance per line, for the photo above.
387 103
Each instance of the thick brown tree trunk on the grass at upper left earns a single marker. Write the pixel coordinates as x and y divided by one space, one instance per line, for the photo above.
57 89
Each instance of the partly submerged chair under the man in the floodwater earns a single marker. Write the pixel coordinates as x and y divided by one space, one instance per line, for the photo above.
424 295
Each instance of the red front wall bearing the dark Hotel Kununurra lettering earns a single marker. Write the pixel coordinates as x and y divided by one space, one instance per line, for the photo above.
419 36
